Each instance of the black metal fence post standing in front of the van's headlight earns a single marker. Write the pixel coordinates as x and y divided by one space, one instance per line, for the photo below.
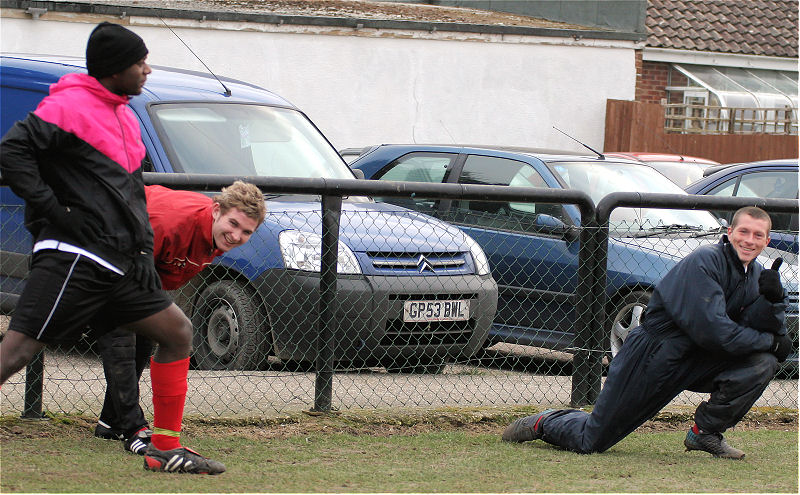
323 385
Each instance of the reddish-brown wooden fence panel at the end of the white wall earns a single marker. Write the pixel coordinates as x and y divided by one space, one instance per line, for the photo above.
637 126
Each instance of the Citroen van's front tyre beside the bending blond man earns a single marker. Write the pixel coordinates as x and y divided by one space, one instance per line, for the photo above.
231 331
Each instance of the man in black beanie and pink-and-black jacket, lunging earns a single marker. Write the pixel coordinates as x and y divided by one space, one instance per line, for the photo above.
77 162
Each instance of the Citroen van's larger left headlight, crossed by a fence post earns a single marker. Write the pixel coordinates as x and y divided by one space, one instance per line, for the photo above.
303 251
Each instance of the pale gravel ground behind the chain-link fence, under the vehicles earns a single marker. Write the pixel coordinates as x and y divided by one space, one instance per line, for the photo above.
75 385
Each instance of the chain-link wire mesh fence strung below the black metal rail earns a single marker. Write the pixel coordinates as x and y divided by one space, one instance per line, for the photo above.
353 304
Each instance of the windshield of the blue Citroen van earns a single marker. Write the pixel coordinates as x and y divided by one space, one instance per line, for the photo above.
244 139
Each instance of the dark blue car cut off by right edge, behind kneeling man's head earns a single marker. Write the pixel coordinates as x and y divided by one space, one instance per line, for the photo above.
764 179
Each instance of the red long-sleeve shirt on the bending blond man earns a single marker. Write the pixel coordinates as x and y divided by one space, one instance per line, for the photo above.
182 243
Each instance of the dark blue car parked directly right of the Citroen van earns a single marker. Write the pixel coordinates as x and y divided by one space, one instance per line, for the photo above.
533 248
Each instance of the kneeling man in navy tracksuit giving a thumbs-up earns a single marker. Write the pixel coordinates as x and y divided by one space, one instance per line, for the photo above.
715 323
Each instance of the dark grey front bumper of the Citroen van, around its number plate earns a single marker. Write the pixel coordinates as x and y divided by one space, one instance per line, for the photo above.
369 315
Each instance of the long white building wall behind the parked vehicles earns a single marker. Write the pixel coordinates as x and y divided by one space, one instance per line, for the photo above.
369 86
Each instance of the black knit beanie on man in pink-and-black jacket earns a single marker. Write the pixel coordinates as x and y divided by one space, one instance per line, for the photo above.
112 49
